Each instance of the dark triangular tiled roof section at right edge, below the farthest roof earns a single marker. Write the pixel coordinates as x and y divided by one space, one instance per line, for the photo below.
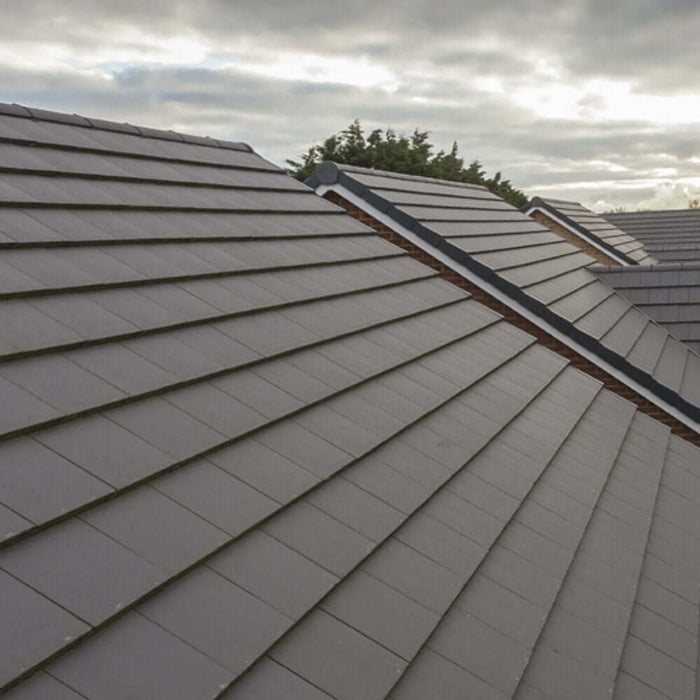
669 293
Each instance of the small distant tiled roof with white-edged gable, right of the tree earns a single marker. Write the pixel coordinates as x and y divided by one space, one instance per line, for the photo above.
623 247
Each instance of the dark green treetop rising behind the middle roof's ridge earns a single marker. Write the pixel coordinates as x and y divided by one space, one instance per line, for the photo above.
385 150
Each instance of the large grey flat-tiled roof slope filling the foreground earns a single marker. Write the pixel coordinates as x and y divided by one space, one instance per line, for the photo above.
256 451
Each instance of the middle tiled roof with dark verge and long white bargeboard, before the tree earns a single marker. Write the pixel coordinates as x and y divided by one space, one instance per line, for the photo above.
532 267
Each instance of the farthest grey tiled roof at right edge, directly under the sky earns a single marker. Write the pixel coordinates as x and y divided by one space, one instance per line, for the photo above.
671 236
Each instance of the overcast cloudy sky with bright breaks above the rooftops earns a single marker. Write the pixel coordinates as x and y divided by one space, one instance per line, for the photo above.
593 100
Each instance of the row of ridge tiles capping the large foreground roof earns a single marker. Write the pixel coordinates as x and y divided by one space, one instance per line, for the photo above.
16 110
